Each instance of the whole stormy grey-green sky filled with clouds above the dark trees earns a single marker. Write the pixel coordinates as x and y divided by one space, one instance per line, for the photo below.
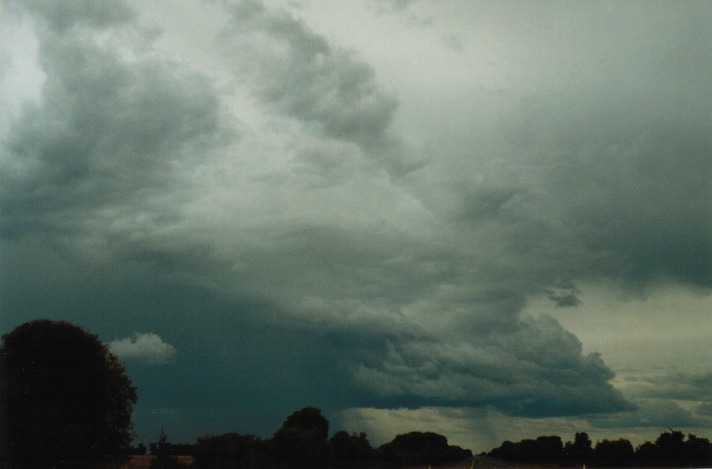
491 220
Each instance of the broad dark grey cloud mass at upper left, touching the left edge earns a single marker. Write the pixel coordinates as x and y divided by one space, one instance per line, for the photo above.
107 139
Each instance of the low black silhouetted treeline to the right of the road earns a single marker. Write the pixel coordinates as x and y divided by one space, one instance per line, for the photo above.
670 449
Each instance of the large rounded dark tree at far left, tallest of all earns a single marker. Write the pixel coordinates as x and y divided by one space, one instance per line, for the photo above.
65 399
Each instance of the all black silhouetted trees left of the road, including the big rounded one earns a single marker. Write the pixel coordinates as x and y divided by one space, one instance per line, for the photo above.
66 403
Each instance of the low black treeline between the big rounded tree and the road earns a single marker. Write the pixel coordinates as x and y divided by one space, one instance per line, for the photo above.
303 442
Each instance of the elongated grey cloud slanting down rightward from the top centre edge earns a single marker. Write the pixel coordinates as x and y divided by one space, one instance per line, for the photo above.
299 74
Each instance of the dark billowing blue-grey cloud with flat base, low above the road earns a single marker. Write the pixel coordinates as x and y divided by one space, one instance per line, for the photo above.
534 369
